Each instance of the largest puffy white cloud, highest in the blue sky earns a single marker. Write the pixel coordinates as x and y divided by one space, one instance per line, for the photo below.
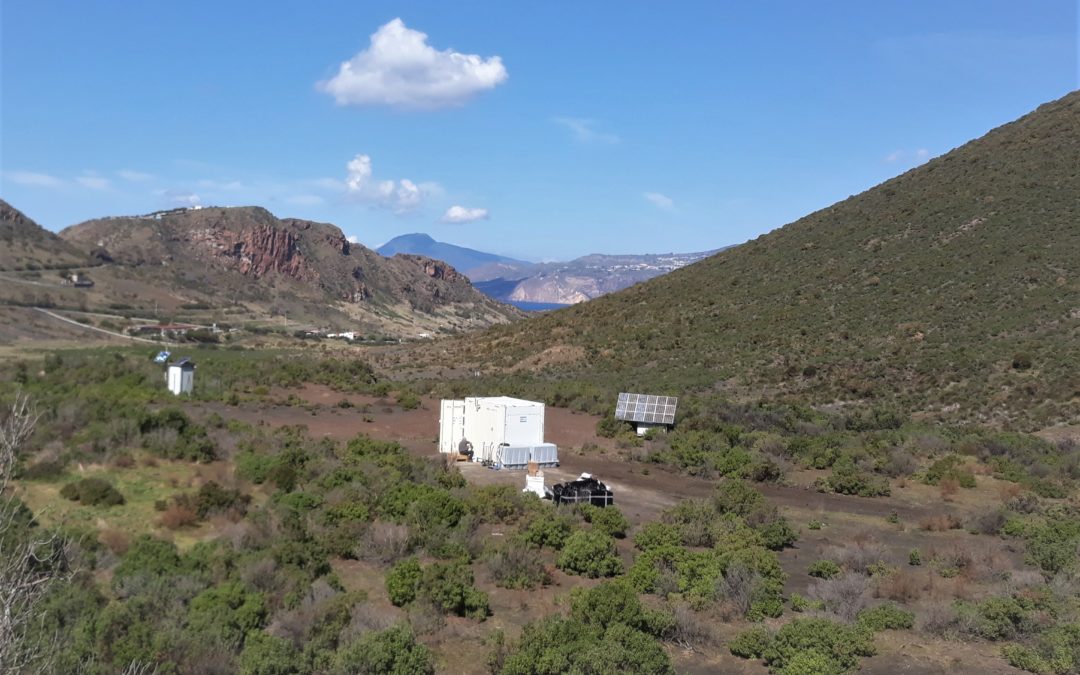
402 71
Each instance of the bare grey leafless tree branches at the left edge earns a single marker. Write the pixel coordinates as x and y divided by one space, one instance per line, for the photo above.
30 561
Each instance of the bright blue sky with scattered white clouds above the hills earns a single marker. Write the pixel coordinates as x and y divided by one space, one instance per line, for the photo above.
544 130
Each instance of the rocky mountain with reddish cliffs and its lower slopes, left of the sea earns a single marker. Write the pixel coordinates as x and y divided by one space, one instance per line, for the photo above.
247 258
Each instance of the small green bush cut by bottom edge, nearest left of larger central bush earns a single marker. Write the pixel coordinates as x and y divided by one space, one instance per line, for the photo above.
394 652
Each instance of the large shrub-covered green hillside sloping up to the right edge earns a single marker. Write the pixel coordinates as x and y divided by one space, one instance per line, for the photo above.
953 290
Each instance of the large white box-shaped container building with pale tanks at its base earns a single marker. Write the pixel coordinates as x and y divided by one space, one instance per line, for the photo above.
501 430
